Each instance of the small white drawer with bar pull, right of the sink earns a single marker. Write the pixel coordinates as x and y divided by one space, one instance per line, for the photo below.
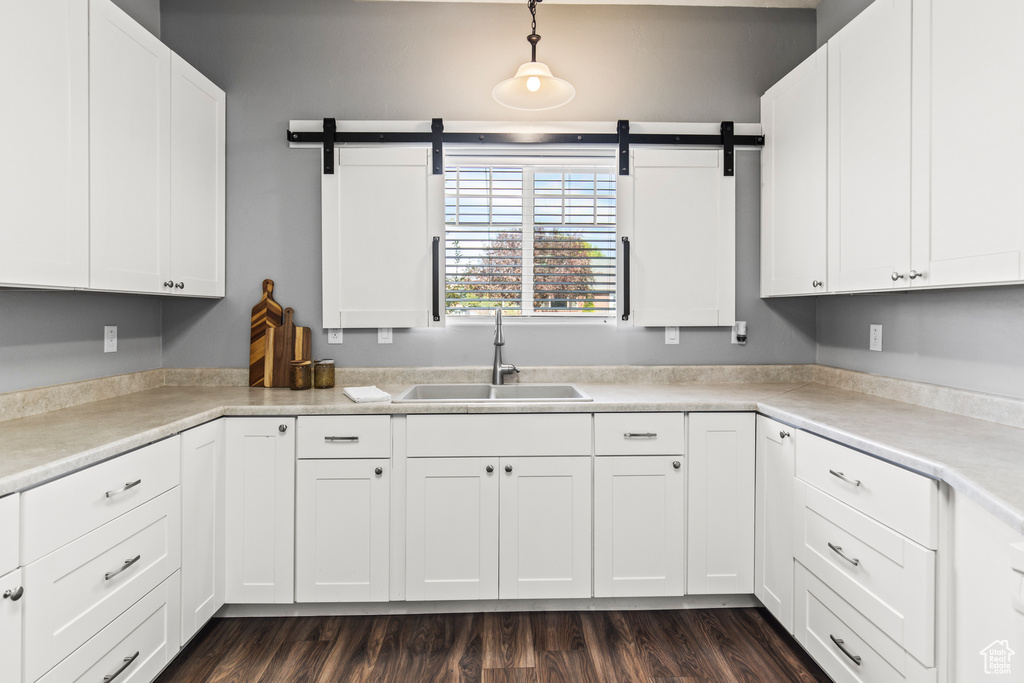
639 434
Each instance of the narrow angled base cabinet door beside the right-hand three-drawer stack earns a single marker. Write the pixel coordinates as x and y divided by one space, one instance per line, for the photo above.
774 515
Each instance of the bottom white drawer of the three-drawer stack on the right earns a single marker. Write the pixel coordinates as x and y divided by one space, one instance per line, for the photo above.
835 634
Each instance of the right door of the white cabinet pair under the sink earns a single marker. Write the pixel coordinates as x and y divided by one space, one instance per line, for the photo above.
545 529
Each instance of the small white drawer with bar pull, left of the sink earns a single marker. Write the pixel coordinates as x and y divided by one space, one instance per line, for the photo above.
337 437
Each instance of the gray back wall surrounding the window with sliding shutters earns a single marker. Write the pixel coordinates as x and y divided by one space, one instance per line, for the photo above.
311 59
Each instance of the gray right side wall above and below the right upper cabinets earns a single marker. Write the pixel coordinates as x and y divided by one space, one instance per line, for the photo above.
965 338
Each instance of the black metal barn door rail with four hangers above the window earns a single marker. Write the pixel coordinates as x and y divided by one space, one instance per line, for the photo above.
331 137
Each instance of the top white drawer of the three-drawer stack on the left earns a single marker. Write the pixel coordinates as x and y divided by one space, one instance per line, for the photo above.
61 511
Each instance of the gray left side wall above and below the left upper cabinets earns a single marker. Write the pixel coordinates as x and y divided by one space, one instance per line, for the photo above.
56 337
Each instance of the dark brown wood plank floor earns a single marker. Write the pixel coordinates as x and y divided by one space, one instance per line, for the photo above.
674 647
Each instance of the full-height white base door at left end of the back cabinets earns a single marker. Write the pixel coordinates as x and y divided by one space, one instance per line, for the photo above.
260 503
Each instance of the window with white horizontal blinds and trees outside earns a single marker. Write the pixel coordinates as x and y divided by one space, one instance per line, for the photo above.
538 240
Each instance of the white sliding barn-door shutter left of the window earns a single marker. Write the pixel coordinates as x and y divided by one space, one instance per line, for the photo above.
382 208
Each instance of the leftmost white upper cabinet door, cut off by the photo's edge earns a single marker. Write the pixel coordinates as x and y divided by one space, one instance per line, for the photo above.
45 181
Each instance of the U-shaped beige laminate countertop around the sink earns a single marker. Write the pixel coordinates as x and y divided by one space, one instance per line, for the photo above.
982 460
